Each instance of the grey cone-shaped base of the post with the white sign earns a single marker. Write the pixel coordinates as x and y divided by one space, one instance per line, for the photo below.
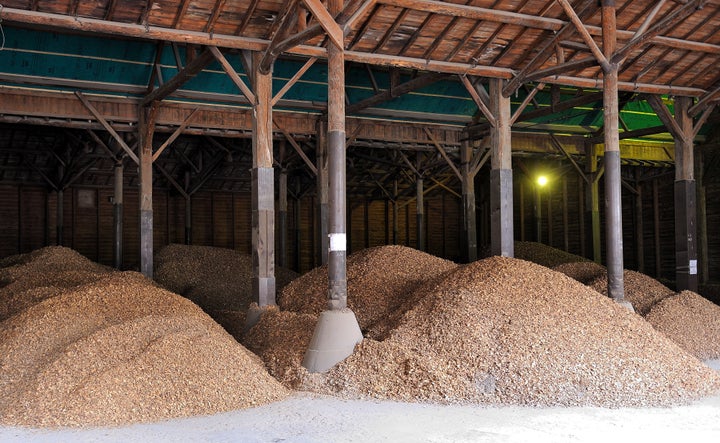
335 337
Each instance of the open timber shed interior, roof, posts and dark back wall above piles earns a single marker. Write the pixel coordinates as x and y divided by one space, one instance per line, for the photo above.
299 131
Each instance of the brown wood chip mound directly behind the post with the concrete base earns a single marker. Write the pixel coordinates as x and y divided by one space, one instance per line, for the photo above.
380 280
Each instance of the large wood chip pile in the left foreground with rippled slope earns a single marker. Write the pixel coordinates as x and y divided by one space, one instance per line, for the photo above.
119 350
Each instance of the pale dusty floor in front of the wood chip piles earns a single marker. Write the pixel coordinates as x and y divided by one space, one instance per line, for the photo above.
308 418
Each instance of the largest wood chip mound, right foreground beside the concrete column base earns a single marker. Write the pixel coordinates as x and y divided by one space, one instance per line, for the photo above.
506 331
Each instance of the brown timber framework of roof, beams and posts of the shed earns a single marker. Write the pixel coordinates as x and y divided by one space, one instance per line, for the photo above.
615 52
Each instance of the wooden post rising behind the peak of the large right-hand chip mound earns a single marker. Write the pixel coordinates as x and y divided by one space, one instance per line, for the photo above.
501 189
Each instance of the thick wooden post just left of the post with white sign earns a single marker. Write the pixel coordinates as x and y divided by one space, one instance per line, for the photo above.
263 192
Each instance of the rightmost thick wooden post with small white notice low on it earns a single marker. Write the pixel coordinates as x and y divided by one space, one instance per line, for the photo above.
686 265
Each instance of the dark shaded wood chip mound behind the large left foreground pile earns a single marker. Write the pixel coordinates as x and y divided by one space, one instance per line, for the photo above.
219 280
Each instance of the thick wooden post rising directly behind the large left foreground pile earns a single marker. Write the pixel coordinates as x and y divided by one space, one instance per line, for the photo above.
146 129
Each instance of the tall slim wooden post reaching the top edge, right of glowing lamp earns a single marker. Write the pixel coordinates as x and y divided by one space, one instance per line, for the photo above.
613 201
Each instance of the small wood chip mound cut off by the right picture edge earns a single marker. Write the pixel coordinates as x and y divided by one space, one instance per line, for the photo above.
691 321
